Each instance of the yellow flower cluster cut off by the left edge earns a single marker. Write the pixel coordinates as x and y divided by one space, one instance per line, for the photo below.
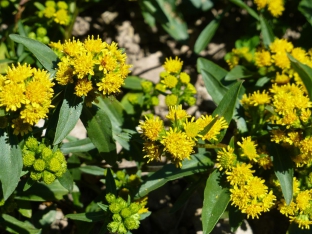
25 95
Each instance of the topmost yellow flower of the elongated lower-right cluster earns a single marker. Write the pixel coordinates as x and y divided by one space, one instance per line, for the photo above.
239 174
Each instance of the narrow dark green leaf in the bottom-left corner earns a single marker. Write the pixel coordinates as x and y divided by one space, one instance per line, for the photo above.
19 226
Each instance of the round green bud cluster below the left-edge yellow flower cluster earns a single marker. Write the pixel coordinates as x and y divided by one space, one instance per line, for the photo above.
42 162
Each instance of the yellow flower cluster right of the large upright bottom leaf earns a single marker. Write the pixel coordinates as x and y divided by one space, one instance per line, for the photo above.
248 192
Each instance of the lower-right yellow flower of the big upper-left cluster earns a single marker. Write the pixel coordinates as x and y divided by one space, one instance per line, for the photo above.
111 83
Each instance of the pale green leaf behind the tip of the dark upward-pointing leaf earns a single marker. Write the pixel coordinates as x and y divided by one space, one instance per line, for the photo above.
214 87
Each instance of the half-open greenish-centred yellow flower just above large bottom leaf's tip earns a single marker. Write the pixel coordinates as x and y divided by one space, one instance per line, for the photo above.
226 159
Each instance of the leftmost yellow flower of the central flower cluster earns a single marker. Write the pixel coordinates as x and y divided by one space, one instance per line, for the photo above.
151 128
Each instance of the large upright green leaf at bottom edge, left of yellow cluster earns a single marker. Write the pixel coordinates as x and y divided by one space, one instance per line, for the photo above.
216 199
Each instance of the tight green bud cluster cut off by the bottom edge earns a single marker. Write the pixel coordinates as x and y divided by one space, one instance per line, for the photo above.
125 216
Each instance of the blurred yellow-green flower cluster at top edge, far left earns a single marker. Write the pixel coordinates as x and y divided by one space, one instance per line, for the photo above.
58 12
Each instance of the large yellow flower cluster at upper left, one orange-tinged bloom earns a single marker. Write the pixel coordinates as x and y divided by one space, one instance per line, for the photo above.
93 66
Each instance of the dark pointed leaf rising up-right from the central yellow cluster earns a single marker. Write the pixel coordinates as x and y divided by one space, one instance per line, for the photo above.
227 105
